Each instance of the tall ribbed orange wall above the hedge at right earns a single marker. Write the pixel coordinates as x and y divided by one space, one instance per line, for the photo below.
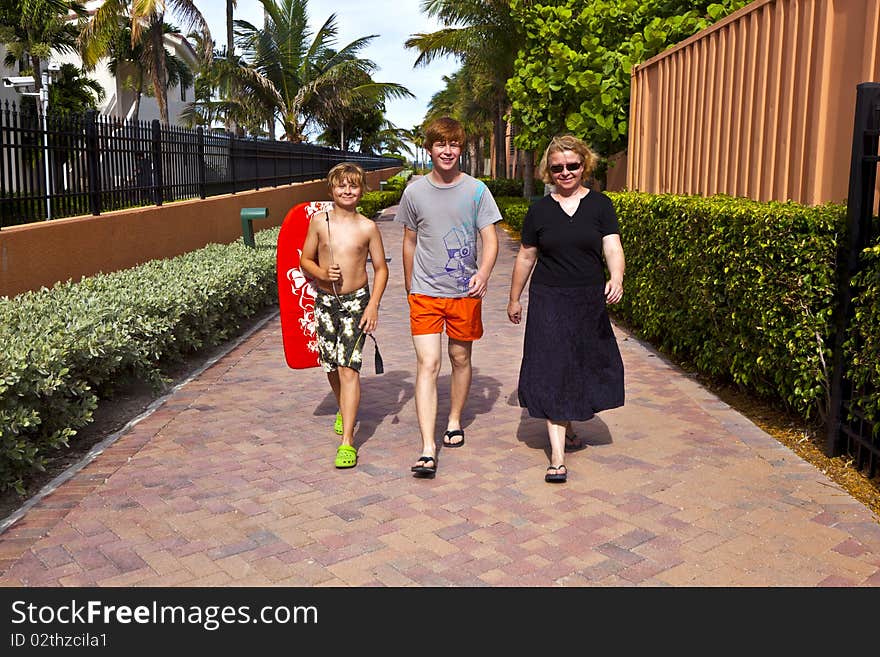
759 104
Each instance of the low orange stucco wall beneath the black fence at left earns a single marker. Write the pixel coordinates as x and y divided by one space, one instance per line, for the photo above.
42 254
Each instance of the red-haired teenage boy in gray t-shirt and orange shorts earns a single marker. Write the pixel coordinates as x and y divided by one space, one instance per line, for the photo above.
442 213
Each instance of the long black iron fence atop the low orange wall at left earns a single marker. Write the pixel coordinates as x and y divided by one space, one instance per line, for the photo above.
68 165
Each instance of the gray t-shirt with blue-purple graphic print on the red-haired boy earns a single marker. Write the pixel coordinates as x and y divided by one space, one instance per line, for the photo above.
447 220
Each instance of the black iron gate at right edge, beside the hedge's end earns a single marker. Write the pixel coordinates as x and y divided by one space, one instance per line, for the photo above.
849 430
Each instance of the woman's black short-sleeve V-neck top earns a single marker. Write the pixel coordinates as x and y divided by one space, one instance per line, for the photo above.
569 248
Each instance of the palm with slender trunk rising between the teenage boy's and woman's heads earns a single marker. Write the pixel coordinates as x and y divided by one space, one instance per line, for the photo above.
483 34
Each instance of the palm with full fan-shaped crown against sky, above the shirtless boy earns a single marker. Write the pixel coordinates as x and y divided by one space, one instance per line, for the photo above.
298 76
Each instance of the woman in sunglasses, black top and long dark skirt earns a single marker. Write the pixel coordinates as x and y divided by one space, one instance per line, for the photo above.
571 367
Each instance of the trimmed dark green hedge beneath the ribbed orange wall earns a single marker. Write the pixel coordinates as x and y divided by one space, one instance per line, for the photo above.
744 290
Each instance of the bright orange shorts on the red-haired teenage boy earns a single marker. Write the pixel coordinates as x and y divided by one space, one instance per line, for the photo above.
462 316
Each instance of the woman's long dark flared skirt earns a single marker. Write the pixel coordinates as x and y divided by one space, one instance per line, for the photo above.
571 366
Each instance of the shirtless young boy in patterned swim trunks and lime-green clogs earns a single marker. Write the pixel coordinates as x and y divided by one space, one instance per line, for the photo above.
335 256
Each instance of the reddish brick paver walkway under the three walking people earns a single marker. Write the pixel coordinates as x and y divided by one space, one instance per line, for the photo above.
230 483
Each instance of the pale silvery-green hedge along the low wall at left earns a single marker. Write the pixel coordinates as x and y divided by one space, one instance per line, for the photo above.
65 348
